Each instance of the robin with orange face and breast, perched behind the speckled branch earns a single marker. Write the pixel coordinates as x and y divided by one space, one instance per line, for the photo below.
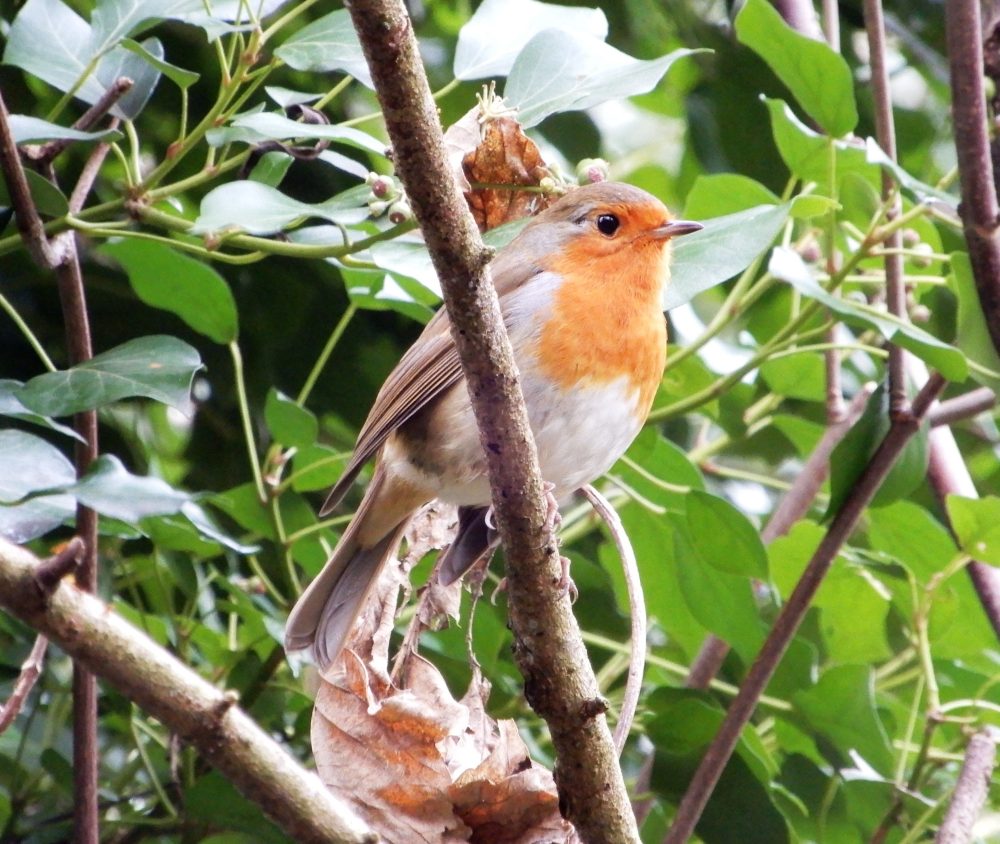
580 291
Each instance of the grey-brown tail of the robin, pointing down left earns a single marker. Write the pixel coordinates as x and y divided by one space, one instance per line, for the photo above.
326 611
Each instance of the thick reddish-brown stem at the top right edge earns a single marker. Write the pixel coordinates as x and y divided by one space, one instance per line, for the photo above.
979 209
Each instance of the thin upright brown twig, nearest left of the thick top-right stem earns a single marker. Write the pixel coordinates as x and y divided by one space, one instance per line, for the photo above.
885 130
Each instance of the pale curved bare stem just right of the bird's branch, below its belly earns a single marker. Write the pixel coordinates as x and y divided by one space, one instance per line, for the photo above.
637 614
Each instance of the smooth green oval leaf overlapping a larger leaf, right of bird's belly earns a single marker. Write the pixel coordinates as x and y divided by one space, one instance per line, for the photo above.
722 537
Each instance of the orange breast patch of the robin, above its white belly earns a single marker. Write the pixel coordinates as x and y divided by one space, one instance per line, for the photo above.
607 319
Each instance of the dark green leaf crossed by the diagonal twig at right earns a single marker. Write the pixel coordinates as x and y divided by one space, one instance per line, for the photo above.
851 457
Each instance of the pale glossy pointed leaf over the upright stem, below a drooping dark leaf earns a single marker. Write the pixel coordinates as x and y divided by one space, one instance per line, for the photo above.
110 489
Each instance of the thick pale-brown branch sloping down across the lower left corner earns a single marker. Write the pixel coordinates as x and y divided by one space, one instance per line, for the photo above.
199 713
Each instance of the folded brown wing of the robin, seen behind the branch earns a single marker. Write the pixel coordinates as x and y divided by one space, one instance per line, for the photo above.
429 367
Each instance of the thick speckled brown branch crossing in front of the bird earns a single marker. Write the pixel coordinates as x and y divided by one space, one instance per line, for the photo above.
559 682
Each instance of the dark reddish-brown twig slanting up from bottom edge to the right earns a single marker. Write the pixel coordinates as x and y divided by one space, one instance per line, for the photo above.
903 427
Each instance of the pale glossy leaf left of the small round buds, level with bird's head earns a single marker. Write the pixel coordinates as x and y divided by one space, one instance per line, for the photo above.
258 209
